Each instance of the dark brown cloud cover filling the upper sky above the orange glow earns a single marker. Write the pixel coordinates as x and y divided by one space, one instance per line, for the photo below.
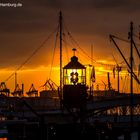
21 27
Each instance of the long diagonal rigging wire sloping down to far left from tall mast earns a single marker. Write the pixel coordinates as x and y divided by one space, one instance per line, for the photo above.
33 53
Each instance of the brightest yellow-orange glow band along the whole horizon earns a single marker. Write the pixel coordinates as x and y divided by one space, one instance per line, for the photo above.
39 75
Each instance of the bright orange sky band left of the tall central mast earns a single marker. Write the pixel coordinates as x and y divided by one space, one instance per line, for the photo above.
37 76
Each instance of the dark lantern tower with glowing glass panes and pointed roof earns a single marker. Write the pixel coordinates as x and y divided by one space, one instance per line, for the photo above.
74 83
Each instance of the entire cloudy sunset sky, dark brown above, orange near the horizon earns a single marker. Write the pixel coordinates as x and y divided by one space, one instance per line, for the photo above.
23 29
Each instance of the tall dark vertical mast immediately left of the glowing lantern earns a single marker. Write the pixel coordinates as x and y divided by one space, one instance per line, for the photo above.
60 27
